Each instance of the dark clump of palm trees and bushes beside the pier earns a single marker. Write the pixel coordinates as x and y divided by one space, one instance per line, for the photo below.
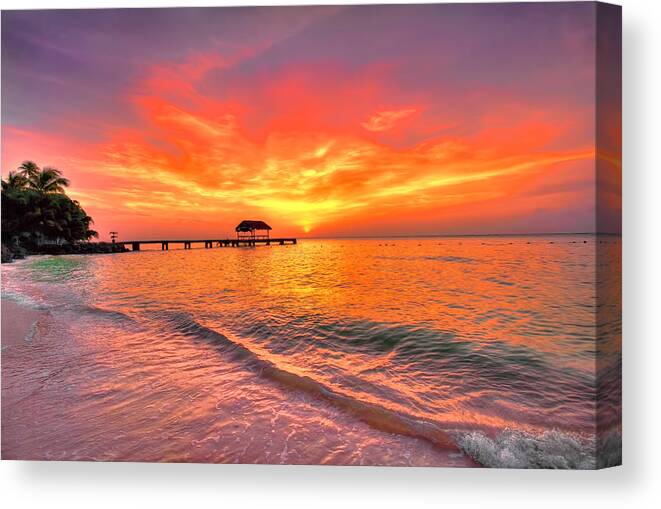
39 218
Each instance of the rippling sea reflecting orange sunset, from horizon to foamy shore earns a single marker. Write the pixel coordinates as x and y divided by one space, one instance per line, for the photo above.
446 351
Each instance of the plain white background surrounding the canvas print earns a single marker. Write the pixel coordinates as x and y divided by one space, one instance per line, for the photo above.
636 484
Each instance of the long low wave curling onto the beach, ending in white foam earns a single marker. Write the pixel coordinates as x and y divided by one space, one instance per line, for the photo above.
509 449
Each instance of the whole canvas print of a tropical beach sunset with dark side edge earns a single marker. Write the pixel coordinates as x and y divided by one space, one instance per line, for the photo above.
381 235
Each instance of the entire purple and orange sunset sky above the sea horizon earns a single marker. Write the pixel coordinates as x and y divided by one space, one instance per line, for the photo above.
322 121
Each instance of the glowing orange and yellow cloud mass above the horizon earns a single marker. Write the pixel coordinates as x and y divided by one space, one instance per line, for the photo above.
294 148
